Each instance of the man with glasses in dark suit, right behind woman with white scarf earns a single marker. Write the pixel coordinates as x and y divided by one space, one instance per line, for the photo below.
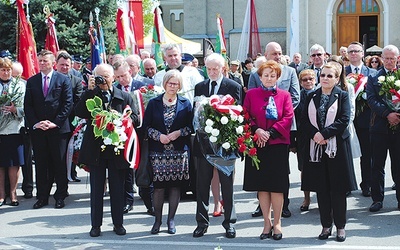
361 121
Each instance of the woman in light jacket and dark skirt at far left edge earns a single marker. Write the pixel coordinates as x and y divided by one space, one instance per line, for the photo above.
12 92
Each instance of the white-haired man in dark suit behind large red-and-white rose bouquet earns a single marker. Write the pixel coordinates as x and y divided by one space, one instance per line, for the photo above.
217 84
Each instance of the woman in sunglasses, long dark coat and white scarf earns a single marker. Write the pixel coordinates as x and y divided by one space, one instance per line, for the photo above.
326 168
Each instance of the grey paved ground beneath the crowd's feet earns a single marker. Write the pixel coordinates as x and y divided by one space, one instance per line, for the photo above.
68 228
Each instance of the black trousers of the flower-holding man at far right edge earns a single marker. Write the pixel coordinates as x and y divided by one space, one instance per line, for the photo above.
380 144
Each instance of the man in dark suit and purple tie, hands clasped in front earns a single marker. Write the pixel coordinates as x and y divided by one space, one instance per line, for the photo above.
48 103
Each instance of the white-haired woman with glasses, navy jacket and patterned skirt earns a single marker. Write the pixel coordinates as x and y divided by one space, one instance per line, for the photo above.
168 119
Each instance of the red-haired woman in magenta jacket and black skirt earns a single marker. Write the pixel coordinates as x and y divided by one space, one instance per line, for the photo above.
271 114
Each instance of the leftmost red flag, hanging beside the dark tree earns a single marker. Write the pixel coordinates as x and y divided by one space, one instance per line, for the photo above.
27 46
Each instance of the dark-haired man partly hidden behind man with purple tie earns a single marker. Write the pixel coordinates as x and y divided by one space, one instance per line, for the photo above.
64 66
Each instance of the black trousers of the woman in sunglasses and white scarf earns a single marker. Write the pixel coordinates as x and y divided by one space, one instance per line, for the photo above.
332 208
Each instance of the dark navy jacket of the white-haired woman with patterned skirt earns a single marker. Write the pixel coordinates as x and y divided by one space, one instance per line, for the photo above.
154 118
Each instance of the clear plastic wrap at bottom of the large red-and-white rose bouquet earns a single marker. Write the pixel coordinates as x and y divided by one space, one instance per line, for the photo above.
216 155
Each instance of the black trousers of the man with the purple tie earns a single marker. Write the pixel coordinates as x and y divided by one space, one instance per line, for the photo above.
50 150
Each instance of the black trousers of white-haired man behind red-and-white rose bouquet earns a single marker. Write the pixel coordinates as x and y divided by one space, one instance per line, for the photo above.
204 176
